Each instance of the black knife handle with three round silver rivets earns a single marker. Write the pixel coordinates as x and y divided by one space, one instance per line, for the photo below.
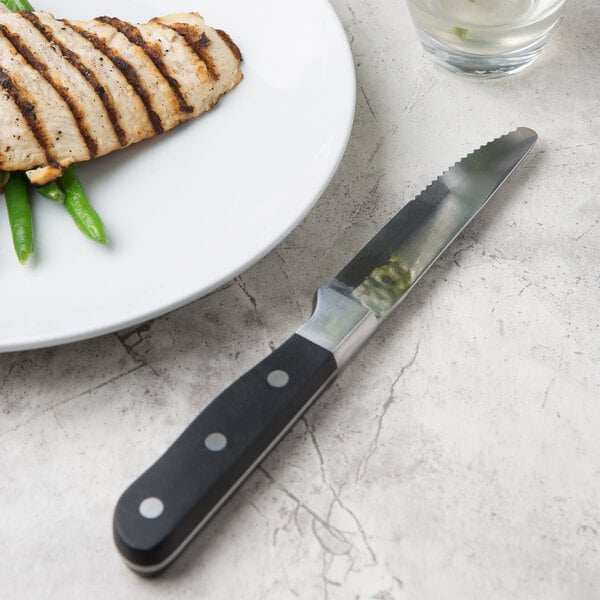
161 511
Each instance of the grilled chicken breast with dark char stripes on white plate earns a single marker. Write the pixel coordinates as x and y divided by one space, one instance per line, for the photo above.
74 90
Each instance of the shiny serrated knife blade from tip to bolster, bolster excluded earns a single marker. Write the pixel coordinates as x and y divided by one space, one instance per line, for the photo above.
397 257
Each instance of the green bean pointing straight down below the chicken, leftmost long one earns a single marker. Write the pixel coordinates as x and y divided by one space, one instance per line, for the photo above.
19 215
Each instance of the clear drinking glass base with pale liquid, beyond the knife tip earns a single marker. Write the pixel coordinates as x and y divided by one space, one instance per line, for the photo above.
485 38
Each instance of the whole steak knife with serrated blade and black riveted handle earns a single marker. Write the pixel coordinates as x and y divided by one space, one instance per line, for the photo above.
161 512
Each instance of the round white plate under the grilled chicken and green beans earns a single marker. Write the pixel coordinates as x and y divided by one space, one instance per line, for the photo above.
191 209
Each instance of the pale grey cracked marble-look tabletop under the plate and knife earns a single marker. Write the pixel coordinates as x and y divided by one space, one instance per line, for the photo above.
457 457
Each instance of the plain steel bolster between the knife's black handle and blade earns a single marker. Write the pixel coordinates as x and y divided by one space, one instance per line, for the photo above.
339 324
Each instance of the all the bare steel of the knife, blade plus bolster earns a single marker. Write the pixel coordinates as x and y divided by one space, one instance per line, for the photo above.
370 286
